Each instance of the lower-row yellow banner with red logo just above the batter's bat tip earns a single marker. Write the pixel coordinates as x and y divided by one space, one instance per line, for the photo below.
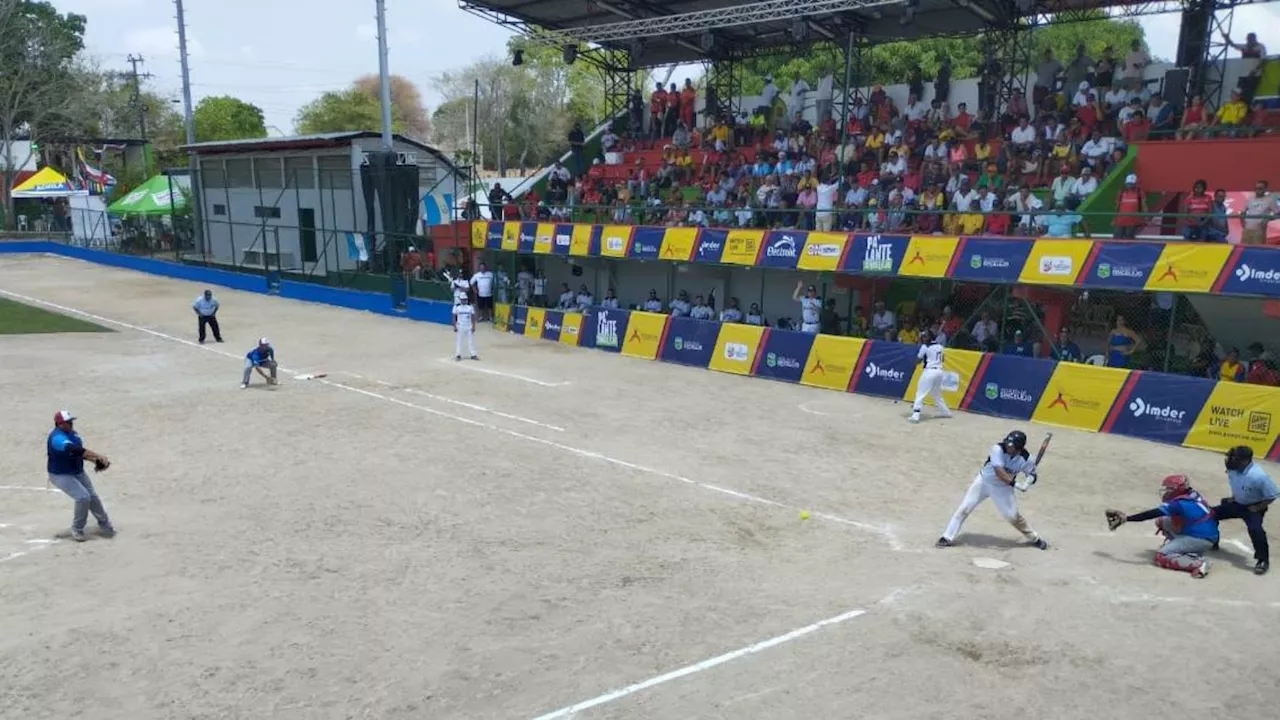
1080 397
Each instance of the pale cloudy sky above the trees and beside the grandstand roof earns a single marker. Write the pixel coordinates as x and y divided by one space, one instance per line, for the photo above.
281 54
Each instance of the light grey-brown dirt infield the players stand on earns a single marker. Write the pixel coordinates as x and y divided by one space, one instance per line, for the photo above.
556 532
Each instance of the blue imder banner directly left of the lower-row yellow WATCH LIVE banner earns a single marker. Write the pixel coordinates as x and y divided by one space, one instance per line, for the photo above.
1160 408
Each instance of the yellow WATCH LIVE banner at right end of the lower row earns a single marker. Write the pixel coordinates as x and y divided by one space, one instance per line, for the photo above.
1238 414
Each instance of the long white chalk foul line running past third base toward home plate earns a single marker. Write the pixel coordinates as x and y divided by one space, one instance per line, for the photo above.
885 532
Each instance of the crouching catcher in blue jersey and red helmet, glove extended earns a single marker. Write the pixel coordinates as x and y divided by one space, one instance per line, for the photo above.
1185 520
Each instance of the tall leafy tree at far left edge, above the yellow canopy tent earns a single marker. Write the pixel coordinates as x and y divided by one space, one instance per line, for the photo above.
38 85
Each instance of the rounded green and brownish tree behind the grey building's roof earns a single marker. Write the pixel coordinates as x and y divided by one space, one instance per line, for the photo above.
359 108
